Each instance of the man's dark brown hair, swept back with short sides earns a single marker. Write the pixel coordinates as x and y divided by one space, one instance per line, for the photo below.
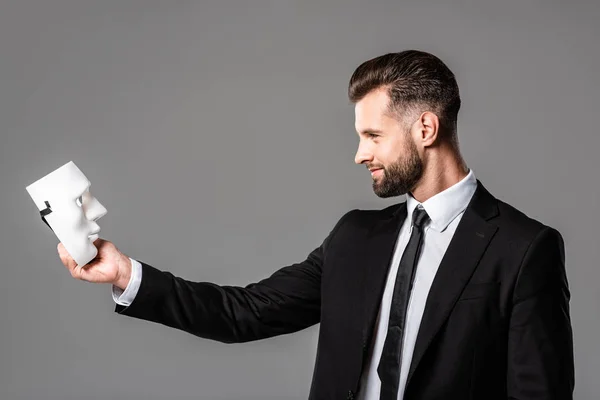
416 81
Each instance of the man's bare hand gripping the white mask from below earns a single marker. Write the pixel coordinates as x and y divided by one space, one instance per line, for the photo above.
109 265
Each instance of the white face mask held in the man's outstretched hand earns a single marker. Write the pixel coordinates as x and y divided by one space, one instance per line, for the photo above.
69 209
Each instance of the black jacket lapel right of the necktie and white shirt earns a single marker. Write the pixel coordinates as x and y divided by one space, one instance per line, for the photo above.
471 238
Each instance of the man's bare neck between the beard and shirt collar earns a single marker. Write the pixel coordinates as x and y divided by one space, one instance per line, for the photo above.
444 167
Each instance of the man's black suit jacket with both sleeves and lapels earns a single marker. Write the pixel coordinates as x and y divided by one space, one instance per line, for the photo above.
496 323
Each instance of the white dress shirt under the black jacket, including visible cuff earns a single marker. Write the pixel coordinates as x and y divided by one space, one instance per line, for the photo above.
445 211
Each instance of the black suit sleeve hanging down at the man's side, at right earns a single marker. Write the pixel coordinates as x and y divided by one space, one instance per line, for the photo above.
540 338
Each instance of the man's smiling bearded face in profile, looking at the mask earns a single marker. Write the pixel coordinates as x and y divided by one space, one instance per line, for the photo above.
387 146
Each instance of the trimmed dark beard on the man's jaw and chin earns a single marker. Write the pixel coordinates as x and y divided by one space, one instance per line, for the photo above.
401 176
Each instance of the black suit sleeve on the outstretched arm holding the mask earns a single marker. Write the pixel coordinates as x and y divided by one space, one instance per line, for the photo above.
287 301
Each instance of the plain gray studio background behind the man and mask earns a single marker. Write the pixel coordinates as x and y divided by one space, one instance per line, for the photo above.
219 137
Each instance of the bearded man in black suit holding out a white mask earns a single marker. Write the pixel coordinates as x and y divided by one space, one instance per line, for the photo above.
452 294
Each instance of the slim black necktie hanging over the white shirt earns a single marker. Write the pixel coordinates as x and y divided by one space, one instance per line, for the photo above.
389 365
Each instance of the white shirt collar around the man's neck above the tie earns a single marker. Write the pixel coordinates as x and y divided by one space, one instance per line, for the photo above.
446 205
